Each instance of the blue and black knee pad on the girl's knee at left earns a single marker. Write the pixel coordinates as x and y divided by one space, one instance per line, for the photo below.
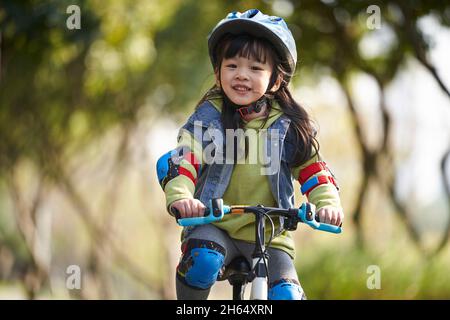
201 263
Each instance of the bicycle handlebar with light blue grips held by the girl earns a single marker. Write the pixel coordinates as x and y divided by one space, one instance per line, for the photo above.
305 214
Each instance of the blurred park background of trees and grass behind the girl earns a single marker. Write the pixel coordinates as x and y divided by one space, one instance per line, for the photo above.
92 94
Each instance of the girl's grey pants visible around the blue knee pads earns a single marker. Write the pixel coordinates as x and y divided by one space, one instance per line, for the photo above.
280 264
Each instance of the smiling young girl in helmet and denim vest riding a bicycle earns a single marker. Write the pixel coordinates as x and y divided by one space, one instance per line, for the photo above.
254 57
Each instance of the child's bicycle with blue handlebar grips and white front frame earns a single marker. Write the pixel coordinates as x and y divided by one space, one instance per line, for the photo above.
238 272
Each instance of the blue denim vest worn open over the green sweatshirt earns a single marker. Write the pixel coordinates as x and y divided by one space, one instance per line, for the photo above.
215 177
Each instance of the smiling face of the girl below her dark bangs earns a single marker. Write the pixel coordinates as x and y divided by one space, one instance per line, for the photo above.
244 80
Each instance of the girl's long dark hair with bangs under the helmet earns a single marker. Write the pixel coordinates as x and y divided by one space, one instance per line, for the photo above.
301 128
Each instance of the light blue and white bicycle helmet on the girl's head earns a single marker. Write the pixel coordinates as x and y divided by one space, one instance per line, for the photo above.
257 24
